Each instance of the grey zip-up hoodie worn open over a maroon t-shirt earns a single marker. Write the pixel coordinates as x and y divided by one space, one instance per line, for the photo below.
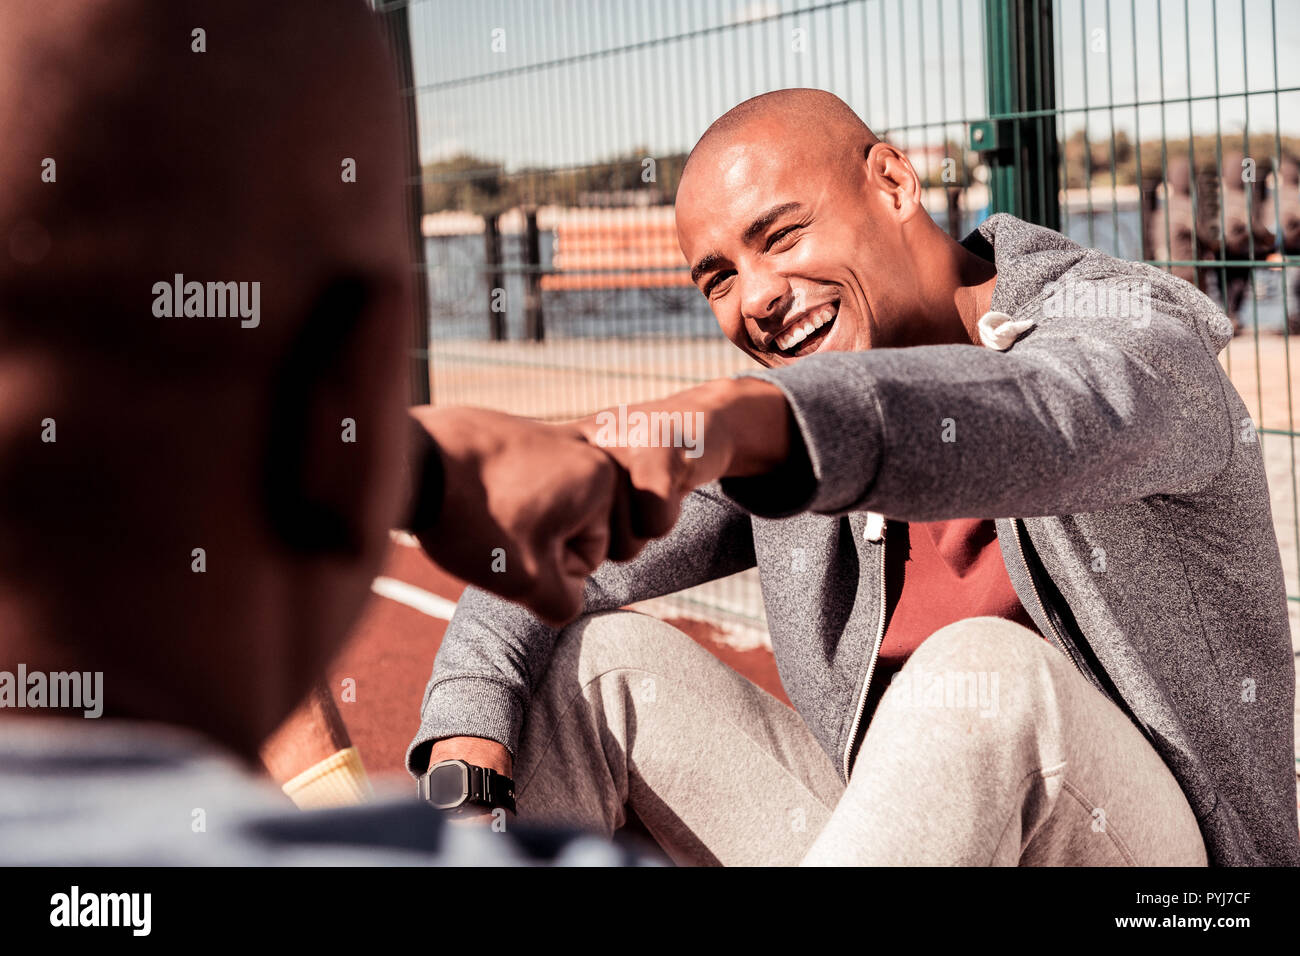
1133 514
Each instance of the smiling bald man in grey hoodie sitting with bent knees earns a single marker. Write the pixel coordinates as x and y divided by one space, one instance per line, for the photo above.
1015 540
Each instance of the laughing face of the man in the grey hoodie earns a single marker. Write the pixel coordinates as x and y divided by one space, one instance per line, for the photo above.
782 227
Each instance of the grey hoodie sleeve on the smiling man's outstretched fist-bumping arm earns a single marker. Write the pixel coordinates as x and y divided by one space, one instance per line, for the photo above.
1078 416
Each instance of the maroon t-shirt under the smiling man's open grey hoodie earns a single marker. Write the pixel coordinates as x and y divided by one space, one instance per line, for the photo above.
938 573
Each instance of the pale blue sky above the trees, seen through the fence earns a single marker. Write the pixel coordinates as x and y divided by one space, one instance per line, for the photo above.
898 63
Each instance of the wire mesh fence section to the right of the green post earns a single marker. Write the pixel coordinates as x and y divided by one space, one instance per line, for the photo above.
1180 124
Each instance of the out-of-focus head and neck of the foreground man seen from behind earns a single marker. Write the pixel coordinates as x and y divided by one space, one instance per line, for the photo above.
148 141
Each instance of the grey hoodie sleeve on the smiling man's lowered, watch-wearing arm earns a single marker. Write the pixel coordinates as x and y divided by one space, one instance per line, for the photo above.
495 651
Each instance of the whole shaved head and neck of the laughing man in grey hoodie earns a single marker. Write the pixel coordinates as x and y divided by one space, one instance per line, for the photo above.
807 233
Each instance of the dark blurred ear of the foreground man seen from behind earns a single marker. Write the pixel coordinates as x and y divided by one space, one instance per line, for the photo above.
317 475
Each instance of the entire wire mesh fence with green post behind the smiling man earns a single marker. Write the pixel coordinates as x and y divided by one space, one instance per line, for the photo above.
552 135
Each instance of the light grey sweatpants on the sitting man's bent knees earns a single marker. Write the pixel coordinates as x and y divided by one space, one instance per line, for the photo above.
989 749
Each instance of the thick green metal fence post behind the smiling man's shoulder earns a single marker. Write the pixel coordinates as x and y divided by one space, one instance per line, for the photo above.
1019 140
